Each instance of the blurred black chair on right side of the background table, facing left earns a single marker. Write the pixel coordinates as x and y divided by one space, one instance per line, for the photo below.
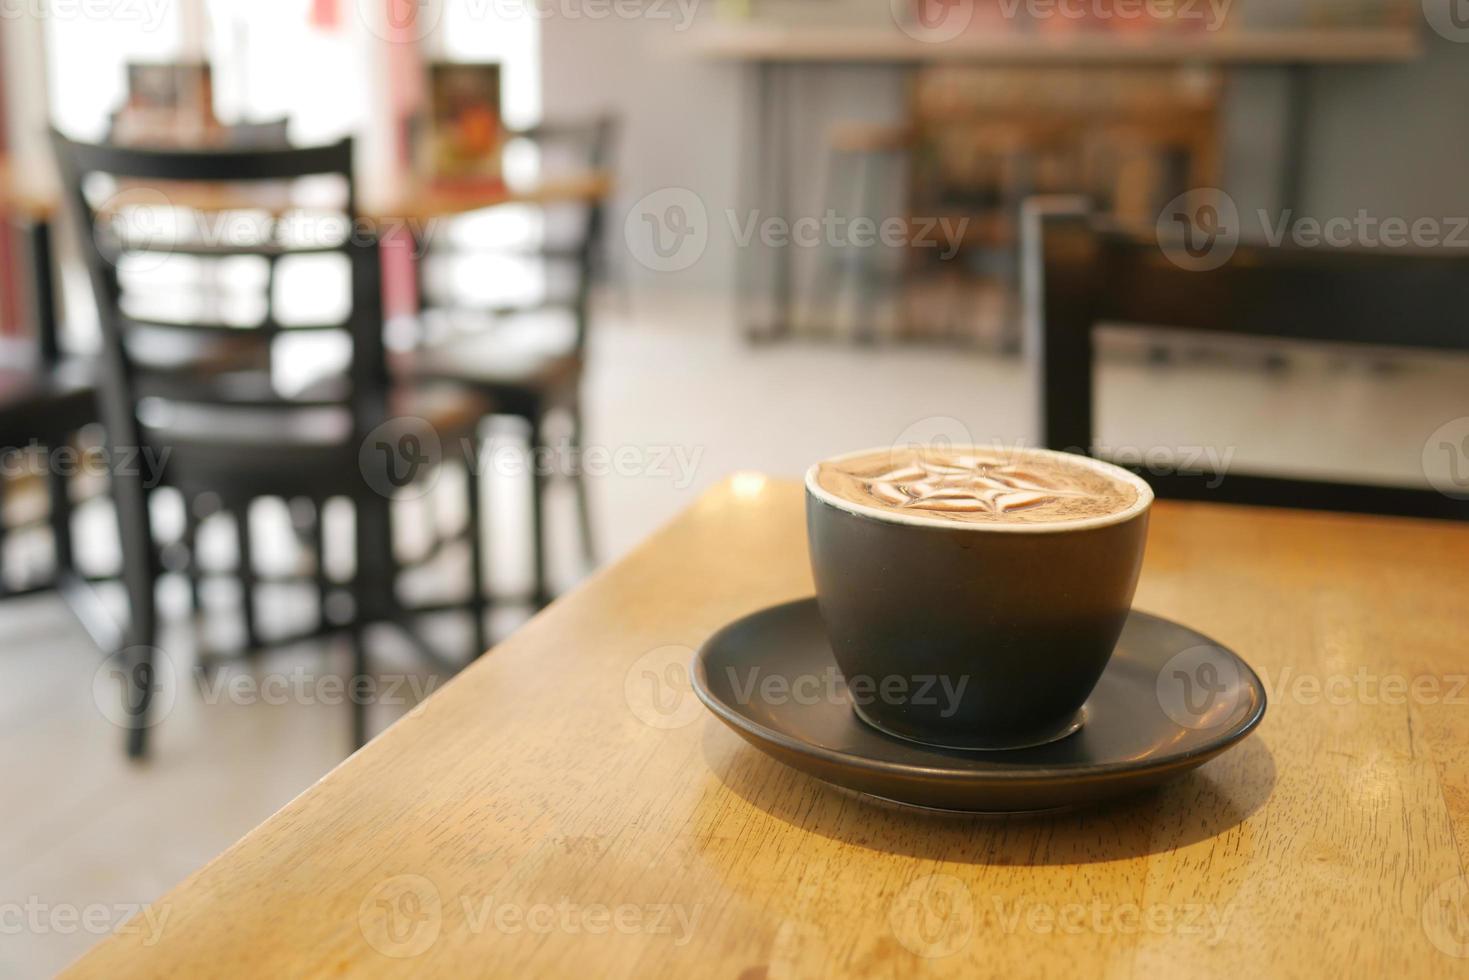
534 386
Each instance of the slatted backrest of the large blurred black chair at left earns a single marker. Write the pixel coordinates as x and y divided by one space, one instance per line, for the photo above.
211 189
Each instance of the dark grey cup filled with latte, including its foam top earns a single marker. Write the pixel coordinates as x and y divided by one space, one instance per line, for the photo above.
973 596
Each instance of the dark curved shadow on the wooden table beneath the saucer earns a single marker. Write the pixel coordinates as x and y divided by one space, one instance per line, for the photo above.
1202 804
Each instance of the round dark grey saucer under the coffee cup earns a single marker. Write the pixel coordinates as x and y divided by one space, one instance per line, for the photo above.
1148 721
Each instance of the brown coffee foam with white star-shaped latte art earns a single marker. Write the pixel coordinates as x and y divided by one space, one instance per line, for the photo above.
978 486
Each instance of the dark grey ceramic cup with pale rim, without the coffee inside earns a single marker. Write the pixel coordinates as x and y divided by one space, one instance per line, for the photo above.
972 635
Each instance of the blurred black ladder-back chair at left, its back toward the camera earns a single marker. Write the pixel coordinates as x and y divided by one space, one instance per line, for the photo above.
227 431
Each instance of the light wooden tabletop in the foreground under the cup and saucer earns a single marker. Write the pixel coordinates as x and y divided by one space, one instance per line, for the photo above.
546 816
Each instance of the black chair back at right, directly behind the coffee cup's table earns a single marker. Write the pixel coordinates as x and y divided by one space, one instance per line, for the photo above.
1082 274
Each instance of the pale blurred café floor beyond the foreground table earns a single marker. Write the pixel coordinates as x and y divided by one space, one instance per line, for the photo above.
676 403
